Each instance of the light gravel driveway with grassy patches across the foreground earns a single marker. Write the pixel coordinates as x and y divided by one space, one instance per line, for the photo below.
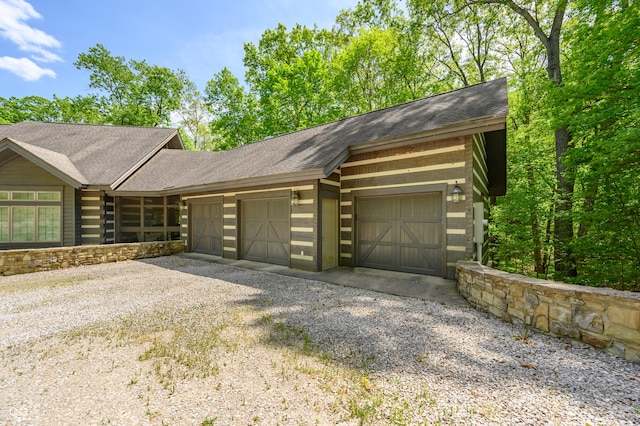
180 341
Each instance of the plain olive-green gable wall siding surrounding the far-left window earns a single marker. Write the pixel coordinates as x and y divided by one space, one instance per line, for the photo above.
23 173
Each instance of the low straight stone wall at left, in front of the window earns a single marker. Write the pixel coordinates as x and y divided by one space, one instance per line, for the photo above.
14 262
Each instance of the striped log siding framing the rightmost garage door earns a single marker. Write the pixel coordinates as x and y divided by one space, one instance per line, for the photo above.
429 163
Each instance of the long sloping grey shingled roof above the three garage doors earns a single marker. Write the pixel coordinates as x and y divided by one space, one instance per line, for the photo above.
315 152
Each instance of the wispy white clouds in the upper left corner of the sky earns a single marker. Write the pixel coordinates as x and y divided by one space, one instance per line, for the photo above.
13 27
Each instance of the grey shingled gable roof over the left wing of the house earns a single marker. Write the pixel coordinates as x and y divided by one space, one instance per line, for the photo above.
100 155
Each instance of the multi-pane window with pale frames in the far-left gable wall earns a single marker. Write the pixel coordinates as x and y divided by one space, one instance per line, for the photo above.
30 216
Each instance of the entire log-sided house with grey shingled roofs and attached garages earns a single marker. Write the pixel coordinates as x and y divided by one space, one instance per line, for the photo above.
405 188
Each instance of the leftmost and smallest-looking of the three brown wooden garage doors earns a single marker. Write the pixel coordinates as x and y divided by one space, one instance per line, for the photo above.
206 228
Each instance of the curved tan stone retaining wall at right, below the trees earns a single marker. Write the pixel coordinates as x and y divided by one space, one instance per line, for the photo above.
602 317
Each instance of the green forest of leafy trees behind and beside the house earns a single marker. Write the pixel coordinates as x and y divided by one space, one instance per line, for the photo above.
573 66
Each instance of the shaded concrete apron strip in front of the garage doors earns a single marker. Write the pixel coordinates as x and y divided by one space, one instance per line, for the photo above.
424 287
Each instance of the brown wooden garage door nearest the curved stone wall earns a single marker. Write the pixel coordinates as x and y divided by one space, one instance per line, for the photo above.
401 233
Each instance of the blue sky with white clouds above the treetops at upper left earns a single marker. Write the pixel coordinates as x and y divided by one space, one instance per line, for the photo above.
40 39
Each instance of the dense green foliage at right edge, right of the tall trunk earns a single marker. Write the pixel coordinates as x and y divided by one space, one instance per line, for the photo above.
601 101
